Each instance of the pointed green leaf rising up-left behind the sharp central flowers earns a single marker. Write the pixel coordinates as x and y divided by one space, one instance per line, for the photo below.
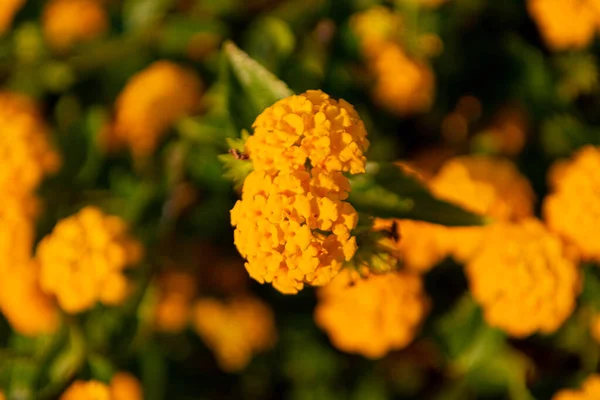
260 88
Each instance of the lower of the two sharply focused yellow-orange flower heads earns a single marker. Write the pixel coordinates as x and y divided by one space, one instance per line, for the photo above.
290 231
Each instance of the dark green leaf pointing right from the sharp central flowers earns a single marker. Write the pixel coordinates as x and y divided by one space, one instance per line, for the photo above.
385 191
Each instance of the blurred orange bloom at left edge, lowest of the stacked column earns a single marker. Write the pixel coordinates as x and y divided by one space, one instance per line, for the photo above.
28 310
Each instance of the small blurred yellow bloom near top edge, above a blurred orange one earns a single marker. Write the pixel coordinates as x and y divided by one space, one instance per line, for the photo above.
375 27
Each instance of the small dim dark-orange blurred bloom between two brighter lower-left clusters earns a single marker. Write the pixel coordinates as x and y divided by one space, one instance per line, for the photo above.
177 292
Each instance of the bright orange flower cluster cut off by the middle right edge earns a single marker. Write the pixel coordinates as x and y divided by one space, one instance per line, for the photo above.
573 208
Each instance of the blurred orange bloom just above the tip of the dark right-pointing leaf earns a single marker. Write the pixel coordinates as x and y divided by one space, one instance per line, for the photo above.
485 185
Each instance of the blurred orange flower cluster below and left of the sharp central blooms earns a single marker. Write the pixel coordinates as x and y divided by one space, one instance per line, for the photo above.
235 330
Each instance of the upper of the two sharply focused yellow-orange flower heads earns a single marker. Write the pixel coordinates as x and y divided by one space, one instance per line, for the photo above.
308 128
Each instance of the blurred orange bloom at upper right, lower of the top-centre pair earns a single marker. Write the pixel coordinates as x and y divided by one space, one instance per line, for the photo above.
402 84
